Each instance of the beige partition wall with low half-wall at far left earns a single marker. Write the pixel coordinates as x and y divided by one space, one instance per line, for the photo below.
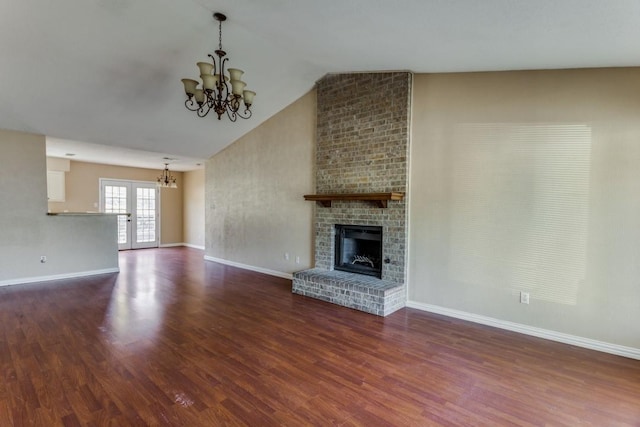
73 245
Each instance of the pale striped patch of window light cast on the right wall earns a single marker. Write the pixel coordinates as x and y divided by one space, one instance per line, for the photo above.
519 214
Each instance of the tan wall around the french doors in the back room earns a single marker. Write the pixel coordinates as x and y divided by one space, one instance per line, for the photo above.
83 194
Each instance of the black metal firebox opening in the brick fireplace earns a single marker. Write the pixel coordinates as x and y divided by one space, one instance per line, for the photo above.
358 249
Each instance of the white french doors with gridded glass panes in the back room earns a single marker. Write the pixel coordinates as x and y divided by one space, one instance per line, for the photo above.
141 200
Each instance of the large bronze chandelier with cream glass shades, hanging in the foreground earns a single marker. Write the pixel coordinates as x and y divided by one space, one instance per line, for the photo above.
214 93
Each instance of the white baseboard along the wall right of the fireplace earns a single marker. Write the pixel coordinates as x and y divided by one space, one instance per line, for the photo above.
619 350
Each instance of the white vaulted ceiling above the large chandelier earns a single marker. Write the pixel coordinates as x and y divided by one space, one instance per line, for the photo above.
108 72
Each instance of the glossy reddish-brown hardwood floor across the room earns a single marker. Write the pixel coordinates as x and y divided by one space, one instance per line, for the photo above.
174 340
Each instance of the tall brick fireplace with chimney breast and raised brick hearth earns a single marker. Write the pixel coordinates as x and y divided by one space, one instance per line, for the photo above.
362 147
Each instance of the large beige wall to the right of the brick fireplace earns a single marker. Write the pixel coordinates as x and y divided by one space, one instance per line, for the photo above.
496 160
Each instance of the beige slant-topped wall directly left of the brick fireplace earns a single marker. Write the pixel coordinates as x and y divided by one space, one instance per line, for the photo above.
255 212
